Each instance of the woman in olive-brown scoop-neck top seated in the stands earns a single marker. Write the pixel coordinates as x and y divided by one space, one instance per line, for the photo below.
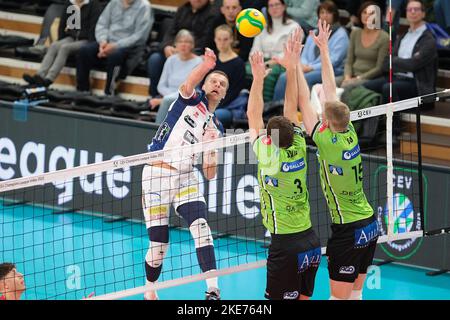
366 53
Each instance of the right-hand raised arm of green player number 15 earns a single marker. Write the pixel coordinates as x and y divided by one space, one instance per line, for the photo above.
328 79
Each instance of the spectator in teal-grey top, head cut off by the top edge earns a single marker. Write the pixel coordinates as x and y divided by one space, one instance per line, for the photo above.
303 11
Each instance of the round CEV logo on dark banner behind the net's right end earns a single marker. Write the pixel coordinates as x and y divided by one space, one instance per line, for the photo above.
405 216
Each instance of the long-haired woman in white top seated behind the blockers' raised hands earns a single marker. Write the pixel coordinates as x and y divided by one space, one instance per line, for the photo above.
271 41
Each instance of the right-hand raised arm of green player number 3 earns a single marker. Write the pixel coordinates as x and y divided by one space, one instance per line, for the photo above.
289 61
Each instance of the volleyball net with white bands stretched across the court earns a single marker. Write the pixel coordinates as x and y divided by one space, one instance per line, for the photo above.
78 230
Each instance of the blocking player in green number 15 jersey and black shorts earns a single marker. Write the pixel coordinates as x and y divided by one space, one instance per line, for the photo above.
351 248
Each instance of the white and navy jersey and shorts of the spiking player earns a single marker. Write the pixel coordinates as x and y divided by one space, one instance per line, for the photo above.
185 123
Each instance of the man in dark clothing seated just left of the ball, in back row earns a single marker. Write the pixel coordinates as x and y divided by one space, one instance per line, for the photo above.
229 11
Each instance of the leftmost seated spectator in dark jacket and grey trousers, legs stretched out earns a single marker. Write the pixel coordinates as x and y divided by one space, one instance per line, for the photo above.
71 39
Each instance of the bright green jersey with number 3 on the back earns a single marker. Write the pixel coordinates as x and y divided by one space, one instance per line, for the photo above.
282 180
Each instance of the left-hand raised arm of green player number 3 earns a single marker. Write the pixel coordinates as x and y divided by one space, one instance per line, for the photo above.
255 100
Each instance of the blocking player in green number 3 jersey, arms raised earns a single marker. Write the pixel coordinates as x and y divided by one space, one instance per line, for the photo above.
294 253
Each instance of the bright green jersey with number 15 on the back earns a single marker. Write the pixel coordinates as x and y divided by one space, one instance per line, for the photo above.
341 174
